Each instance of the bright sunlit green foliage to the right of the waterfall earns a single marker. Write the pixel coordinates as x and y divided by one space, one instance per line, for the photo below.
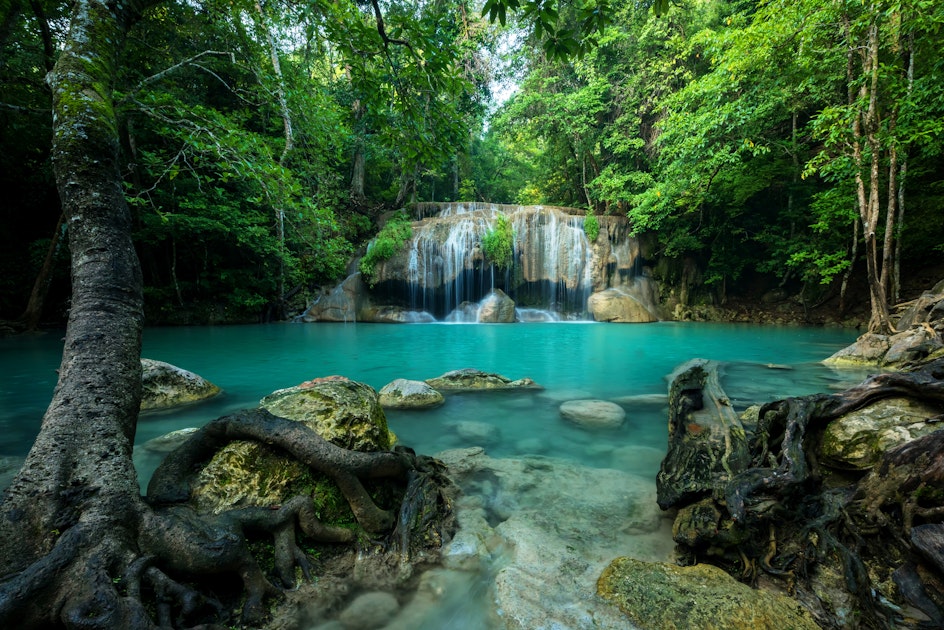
753 138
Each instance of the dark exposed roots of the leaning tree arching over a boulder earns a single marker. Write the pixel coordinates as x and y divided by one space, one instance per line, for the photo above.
145 569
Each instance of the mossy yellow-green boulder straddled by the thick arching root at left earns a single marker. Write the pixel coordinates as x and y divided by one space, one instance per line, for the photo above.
342 411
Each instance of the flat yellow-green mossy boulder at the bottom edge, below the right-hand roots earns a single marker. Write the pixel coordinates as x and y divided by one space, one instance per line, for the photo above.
670 597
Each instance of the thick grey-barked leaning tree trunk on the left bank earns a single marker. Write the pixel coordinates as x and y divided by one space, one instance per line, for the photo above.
78 480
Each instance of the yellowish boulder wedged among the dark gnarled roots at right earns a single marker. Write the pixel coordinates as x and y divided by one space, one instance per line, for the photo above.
858 440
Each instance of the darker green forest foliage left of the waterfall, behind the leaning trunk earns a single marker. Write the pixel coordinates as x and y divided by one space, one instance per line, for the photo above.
260 142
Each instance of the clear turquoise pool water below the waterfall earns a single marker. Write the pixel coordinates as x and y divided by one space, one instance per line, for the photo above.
571 360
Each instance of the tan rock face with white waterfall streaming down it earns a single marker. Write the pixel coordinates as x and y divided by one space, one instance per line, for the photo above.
444 272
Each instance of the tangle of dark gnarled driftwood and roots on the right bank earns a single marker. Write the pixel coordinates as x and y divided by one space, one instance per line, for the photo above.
785 515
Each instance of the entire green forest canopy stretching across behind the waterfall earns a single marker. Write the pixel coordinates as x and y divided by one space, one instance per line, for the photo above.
261 142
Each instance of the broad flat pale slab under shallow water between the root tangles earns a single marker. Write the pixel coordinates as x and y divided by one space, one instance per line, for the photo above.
551 526
